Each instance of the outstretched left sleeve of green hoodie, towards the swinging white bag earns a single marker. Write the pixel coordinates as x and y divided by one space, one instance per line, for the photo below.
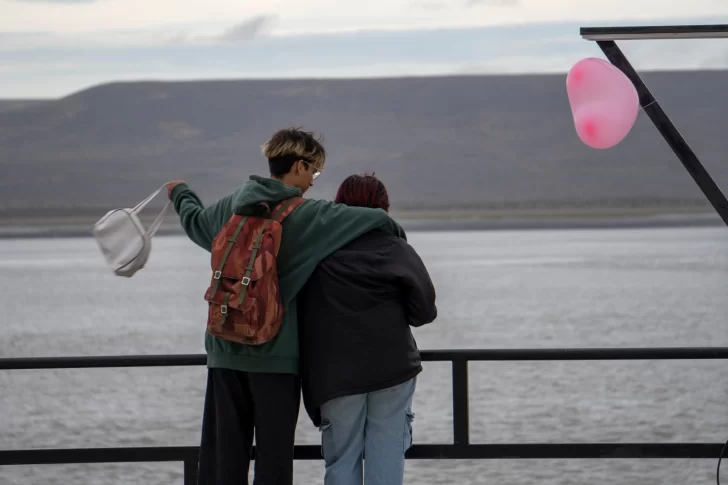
201 224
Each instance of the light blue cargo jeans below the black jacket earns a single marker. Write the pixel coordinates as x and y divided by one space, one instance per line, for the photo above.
376 426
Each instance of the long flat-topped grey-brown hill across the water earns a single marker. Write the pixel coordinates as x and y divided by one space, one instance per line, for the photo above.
439 142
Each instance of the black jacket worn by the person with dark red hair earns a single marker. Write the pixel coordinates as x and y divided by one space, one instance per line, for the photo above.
354 318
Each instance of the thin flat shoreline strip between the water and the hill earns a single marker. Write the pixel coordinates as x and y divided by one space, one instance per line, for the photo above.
421 224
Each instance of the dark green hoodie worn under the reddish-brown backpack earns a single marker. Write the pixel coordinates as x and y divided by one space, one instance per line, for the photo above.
312 232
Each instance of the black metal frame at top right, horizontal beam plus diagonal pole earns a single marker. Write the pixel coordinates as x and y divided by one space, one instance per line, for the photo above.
605 38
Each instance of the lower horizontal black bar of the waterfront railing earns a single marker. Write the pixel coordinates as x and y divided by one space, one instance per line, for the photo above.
423 451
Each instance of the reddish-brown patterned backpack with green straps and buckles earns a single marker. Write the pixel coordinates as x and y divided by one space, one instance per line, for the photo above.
244 299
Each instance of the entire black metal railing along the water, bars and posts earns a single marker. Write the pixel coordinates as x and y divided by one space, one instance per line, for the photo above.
461 447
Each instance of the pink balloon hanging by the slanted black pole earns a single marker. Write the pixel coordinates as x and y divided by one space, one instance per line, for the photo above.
603 101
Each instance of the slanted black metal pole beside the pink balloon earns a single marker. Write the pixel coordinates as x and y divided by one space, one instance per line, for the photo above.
667 130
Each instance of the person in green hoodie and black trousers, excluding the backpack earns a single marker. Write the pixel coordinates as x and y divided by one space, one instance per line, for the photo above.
256 389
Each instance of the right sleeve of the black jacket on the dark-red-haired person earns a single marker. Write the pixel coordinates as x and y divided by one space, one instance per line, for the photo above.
417 287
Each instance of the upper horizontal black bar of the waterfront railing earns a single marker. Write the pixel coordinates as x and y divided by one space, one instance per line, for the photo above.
668 353
